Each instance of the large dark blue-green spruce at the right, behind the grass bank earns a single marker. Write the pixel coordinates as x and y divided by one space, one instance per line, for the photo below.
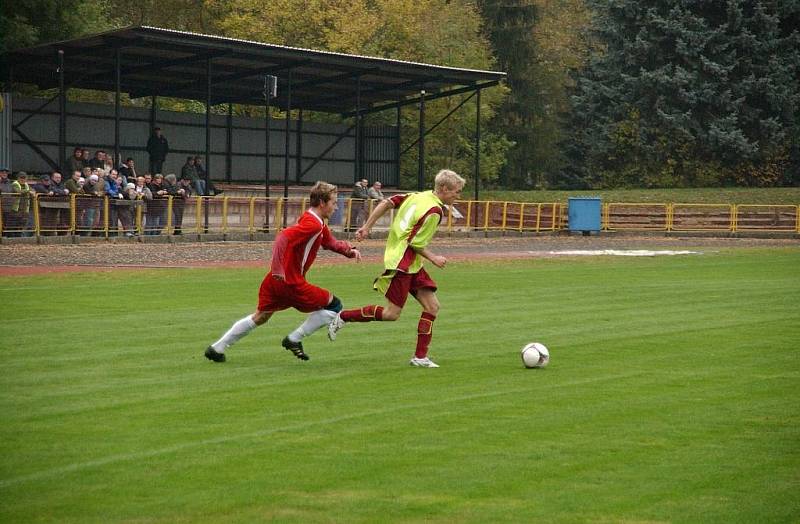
689 93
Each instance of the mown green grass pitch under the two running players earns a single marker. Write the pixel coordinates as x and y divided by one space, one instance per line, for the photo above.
673 395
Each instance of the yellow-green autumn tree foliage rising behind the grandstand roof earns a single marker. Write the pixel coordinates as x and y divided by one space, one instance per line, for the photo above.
433 31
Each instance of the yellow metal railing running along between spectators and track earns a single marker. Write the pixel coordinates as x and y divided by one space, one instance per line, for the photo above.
40 215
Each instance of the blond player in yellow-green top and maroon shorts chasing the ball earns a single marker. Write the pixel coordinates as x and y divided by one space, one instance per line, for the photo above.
415 222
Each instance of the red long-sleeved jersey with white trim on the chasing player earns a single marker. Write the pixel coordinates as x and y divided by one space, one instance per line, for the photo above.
296 247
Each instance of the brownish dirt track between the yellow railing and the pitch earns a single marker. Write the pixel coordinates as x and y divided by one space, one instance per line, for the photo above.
35 259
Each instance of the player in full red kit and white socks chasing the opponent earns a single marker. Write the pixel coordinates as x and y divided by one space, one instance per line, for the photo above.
285 285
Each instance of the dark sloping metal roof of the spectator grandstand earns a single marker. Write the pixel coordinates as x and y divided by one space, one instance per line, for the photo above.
163 62
